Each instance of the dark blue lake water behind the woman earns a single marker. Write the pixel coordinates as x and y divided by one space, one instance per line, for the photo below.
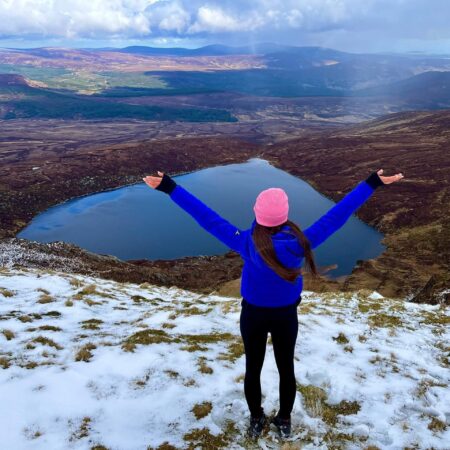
137 222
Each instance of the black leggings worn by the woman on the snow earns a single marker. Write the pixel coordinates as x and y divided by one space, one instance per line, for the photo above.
282 323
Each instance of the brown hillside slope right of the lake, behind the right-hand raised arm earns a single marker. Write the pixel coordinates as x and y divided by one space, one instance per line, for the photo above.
413 214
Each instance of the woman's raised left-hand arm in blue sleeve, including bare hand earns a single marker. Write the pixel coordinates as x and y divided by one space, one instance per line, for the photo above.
212 222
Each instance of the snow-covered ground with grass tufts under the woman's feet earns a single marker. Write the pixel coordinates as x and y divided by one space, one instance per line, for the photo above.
88 363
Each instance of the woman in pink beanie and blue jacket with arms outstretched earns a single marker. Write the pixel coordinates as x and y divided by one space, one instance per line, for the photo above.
273 249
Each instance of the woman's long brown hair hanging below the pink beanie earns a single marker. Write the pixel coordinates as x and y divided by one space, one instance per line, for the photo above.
262 237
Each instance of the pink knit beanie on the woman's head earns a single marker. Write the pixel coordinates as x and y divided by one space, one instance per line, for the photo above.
271 207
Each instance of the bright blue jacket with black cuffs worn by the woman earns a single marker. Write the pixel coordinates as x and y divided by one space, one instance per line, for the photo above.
261 285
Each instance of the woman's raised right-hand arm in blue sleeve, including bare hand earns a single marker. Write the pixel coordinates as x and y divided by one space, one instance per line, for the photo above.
336 217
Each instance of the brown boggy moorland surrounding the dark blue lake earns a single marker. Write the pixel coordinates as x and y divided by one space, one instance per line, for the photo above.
412 214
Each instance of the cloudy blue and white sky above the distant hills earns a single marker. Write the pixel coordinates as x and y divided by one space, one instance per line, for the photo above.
351 25
